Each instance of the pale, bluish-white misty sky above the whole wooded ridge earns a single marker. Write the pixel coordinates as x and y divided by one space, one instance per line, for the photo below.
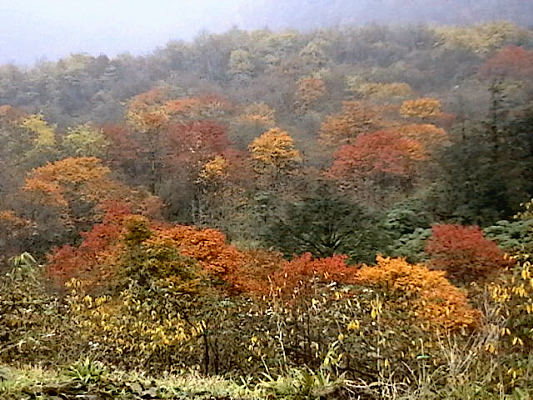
31 30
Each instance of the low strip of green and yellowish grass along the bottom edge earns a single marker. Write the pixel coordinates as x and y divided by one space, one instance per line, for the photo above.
89 379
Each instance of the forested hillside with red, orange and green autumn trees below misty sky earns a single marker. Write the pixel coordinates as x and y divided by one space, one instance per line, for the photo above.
337 213
